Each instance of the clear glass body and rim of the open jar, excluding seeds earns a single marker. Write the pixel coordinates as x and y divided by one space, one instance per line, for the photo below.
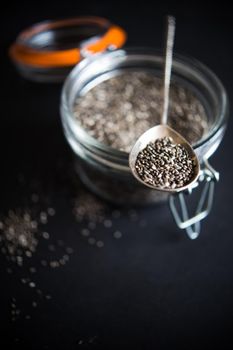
105 170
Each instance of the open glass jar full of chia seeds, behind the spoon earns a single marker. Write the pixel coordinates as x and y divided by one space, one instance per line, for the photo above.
109 101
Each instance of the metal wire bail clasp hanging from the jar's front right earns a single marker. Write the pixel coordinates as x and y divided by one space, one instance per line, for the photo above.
178 204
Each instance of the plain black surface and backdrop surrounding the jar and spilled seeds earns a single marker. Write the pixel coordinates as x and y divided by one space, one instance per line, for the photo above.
154 288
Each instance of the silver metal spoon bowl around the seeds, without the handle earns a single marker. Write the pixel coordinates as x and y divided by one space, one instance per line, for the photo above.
151 135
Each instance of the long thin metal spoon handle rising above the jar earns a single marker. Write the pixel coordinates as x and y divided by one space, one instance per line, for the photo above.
171 24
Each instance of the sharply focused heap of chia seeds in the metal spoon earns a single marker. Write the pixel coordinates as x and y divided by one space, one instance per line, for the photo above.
165 164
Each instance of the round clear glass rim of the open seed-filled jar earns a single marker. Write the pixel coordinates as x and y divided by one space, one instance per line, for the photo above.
185 60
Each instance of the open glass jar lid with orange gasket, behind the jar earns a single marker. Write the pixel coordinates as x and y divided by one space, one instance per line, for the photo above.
48 50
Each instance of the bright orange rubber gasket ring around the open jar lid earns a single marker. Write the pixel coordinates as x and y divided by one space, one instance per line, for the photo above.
21 53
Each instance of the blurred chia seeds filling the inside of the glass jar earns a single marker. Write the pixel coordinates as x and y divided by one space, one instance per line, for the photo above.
117 111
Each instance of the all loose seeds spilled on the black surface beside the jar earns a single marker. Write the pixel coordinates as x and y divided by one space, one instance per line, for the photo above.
24 231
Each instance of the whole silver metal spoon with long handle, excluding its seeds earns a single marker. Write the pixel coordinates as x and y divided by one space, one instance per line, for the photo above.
163 130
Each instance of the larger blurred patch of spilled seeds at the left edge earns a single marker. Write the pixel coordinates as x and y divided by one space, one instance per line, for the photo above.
22 230
